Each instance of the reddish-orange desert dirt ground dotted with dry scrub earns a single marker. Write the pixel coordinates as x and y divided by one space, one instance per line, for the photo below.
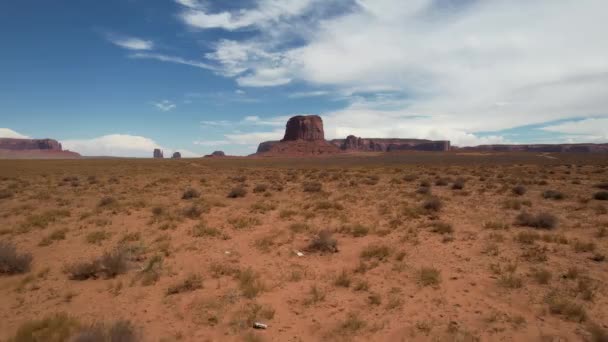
414 247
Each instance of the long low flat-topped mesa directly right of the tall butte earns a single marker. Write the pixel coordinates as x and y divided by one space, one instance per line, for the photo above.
353 143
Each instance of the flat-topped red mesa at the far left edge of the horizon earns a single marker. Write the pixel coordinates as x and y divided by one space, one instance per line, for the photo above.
34 149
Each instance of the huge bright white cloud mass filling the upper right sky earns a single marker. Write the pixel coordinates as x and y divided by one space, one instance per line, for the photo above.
466 67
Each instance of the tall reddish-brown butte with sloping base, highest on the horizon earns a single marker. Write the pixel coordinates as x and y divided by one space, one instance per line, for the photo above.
304 136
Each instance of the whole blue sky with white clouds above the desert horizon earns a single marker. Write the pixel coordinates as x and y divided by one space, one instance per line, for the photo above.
122 77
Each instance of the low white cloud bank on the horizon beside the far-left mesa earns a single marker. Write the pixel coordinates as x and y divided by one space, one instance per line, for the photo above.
120 145
